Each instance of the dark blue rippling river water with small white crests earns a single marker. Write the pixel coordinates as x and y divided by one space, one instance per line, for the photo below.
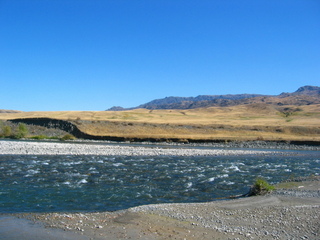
99 183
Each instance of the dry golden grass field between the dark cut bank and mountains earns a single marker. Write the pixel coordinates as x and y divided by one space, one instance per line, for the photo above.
243 122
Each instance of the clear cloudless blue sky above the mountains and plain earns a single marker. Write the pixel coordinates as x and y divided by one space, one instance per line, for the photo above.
95 54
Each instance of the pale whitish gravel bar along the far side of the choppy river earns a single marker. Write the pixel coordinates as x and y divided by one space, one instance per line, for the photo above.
56 148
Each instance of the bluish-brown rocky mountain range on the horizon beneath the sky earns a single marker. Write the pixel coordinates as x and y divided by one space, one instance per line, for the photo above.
303 96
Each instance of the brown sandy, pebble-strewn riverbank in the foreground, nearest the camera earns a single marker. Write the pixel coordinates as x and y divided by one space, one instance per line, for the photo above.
291 213
